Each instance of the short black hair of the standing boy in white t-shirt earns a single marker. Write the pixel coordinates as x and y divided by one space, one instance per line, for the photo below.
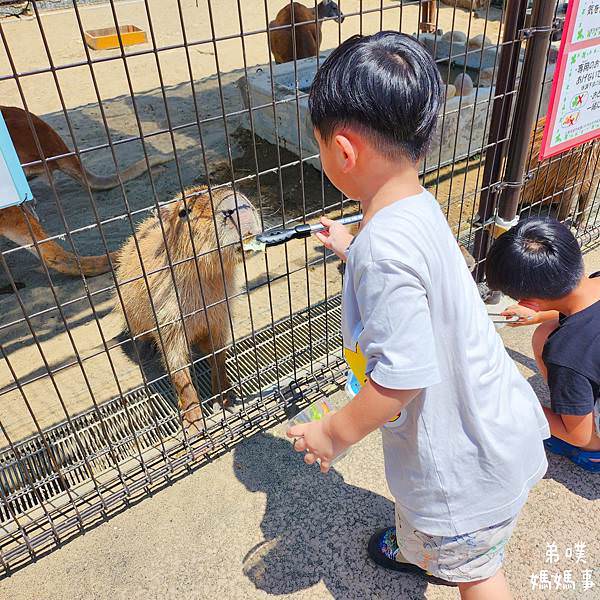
385 84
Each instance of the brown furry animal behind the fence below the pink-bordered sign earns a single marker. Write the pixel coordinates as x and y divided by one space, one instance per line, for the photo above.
566 180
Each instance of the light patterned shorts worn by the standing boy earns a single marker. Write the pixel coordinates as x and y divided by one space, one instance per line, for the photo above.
461 558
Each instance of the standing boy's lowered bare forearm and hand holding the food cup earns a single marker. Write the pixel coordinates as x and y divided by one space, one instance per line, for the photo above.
371 408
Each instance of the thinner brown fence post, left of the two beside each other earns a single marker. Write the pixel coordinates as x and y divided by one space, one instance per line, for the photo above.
505 86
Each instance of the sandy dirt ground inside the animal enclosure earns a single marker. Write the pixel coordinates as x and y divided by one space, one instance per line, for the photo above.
289 195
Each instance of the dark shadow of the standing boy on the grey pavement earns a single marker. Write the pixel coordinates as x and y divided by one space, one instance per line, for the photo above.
315 528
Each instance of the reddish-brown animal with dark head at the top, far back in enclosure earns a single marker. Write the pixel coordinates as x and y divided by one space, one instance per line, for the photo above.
306 30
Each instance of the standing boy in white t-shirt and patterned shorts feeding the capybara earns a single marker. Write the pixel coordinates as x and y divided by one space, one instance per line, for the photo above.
462 429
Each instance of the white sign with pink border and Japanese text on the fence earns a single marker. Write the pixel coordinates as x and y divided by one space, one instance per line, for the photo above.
574 111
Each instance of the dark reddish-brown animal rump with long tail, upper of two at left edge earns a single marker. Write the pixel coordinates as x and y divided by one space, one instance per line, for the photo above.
53 145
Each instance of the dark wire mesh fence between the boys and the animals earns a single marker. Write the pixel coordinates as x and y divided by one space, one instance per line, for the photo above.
141 331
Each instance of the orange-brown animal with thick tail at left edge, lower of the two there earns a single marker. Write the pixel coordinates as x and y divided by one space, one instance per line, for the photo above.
18 223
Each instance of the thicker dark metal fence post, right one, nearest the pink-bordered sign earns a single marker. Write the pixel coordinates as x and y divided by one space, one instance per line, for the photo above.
526 108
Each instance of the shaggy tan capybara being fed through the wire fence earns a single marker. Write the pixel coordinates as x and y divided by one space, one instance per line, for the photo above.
204 281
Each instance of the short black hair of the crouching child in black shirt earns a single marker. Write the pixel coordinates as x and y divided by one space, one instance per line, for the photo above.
537 258
